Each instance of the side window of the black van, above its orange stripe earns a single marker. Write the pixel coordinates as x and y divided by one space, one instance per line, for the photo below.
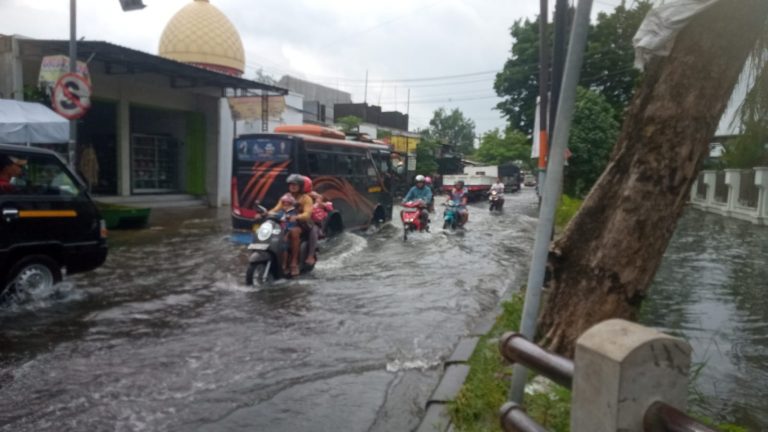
47 176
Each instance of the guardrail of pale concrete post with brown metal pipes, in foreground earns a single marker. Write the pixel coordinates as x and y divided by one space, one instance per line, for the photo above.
623 377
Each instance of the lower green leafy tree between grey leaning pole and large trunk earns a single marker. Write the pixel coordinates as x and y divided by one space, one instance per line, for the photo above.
593 135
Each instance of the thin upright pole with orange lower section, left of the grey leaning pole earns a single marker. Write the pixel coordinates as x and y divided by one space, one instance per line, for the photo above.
543 92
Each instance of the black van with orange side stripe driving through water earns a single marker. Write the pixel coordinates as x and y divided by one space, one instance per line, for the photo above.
47 221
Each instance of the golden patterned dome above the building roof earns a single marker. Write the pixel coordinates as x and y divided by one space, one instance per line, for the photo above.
200 34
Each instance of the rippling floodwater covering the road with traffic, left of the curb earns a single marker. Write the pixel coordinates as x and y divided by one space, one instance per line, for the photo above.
165 336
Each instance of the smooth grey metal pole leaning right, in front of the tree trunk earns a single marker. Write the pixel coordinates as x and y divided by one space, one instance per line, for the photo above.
552 188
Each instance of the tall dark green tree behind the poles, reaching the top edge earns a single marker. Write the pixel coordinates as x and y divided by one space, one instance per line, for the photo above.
607 68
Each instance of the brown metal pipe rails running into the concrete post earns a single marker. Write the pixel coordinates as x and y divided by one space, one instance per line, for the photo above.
659 417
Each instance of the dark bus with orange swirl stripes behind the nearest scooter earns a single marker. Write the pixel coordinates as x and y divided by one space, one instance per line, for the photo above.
356 176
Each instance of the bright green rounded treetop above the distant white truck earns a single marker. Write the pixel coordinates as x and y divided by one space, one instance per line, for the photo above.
498 147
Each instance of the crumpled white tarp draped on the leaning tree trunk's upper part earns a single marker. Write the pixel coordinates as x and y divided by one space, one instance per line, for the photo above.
657 32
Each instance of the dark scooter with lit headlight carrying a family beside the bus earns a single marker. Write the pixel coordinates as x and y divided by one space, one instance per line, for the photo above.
265 262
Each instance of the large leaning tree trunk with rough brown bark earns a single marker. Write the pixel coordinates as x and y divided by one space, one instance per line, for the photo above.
603 264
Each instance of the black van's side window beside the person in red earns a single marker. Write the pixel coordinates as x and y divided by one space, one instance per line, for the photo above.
37 175
